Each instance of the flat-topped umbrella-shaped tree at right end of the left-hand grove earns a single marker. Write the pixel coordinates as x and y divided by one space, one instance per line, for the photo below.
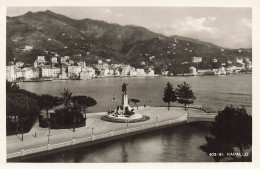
85 102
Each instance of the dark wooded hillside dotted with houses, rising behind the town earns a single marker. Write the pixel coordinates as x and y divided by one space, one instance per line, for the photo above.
49 33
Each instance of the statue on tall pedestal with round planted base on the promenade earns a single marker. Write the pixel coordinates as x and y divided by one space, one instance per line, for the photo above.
124 113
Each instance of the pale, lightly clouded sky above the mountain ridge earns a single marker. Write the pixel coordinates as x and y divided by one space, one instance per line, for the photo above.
227 27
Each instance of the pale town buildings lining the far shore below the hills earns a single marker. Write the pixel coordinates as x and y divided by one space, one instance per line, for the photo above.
64 68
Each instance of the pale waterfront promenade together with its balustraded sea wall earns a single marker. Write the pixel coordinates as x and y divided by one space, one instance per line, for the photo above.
98 131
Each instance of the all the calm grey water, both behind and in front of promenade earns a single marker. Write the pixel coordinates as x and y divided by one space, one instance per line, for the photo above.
176 144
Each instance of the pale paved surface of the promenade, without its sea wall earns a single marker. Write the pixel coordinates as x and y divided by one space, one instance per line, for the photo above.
14 143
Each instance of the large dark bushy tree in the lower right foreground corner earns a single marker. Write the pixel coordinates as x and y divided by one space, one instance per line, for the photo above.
232 129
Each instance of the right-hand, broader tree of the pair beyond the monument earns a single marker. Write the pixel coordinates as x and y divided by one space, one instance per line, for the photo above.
184 94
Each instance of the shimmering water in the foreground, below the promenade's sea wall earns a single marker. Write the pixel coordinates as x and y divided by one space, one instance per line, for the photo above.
175 144
